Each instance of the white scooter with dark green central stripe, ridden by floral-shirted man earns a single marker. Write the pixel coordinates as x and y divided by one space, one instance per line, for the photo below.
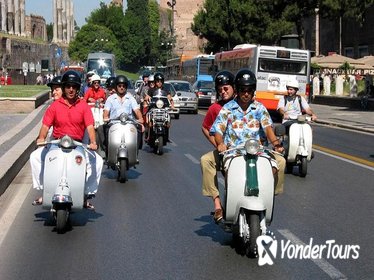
249 195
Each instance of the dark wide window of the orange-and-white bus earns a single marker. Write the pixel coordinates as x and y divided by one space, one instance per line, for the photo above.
282 66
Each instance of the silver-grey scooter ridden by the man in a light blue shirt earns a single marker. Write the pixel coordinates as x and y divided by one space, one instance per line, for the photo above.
123 138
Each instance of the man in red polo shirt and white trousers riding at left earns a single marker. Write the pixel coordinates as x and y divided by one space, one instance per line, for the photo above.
80 118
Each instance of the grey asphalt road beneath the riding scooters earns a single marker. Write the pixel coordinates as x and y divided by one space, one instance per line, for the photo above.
158 225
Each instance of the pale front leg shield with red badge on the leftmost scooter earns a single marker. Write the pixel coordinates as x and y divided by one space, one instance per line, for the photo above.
64 174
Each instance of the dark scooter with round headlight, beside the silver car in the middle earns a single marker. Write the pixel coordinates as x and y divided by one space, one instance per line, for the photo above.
159 120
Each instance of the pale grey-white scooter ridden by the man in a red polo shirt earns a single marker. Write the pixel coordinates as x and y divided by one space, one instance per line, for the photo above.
64 179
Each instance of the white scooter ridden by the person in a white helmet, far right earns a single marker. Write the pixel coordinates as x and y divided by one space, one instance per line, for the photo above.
298 145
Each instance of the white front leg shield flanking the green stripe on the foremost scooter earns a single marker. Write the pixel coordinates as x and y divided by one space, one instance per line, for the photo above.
236 184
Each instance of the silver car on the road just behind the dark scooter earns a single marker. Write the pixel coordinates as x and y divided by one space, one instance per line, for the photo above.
186 95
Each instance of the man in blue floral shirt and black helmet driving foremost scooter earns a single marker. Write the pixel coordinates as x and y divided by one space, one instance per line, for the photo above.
242 118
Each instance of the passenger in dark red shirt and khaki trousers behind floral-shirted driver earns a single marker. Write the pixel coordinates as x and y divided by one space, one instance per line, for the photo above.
224 85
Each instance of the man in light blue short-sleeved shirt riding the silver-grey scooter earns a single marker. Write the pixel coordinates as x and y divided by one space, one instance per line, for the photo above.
120 102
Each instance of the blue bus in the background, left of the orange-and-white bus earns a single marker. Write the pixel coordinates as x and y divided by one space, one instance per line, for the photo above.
198 68
